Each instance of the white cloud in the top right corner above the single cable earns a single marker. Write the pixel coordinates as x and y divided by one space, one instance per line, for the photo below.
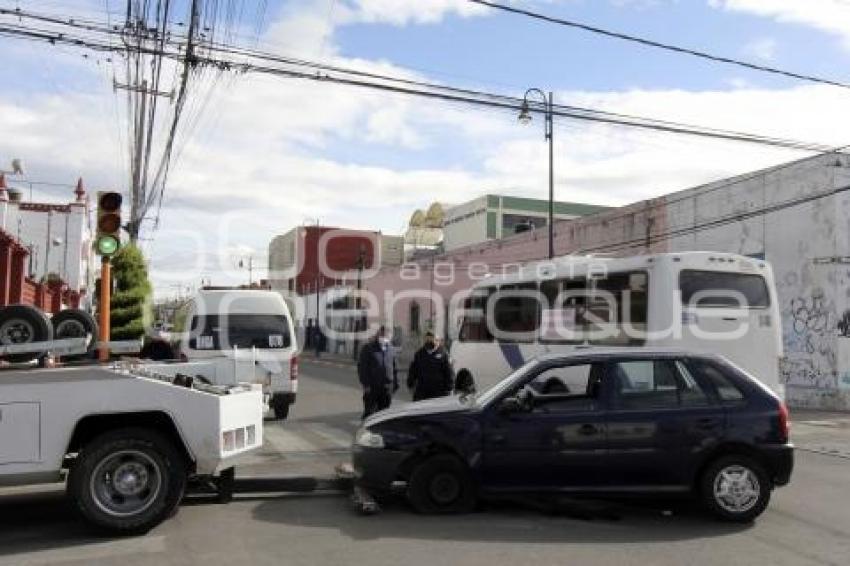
832 16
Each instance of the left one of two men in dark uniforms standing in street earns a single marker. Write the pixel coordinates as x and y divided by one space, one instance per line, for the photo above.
378 373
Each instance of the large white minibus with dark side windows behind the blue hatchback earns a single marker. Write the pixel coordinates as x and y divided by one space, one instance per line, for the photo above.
700 301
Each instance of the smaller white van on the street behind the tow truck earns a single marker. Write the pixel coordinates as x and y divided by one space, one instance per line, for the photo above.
251 333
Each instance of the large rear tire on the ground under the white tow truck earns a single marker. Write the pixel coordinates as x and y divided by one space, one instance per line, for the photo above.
127 481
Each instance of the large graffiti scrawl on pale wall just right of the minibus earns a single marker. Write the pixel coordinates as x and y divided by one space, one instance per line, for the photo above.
809 342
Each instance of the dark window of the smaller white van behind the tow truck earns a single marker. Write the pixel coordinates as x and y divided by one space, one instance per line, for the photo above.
222 332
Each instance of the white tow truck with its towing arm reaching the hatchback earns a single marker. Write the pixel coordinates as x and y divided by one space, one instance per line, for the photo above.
130 438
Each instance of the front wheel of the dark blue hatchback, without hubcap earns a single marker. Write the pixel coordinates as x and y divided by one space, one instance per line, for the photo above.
441 484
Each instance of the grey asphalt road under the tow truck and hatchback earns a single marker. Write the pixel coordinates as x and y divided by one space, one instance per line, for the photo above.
808 522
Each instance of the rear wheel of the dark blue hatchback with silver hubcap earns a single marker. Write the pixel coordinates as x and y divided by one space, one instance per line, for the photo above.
735 488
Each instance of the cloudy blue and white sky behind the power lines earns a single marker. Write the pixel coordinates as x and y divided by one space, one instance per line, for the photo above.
266 154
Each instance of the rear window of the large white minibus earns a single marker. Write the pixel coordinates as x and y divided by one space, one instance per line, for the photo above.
720 289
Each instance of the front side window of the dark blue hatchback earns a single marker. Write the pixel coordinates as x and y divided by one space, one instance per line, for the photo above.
567 388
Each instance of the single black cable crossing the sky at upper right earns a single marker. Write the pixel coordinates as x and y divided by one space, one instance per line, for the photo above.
659 45
